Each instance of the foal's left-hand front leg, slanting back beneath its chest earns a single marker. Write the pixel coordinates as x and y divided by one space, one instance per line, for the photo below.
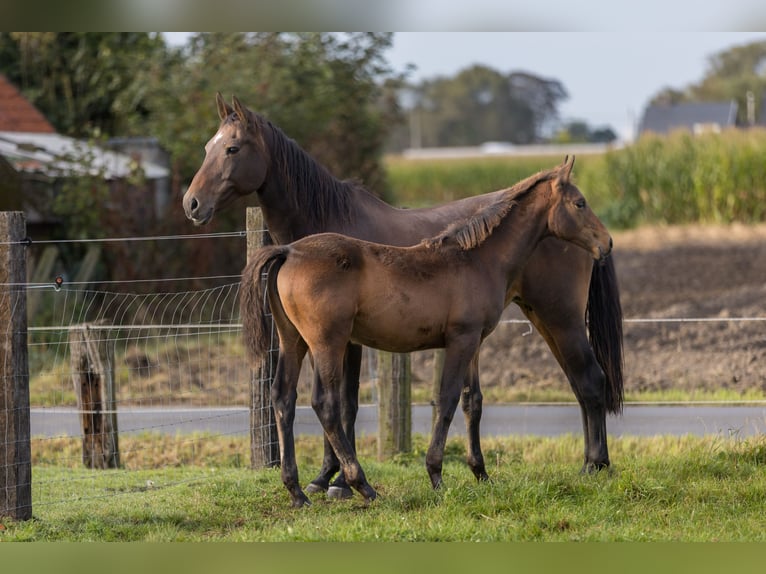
459 354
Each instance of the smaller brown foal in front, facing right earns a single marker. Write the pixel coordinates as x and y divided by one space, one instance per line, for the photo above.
446 292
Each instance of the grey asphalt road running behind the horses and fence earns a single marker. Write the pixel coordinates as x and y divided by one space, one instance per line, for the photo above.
540 420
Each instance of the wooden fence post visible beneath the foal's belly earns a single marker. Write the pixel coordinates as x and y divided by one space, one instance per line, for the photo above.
394 408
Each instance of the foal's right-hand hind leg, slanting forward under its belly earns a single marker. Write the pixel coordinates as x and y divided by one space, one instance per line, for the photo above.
326 401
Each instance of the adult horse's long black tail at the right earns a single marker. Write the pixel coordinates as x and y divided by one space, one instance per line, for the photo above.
604 315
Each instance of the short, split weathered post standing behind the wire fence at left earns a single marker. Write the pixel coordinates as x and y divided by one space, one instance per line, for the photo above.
92 362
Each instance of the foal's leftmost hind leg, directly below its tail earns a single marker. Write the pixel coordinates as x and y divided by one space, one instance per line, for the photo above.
283 397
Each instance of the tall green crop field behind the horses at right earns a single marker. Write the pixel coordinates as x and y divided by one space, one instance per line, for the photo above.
679 178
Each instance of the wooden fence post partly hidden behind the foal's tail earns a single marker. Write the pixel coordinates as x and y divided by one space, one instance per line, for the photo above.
264 444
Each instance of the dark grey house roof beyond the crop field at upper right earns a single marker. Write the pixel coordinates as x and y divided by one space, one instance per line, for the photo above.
692 116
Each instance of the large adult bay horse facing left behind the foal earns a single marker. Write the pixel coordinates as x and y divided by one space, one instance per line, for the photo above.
559 290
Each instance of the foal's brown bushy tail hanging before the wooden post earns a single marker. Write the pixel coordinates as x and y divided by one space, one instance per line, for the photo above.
258 284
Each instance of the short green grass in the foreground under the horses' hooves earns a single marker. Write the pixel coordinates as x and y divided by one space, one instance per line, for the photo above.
659 489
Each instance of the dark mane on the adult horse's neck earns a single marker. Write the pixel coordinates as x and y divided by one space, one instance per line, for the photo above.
308 185
